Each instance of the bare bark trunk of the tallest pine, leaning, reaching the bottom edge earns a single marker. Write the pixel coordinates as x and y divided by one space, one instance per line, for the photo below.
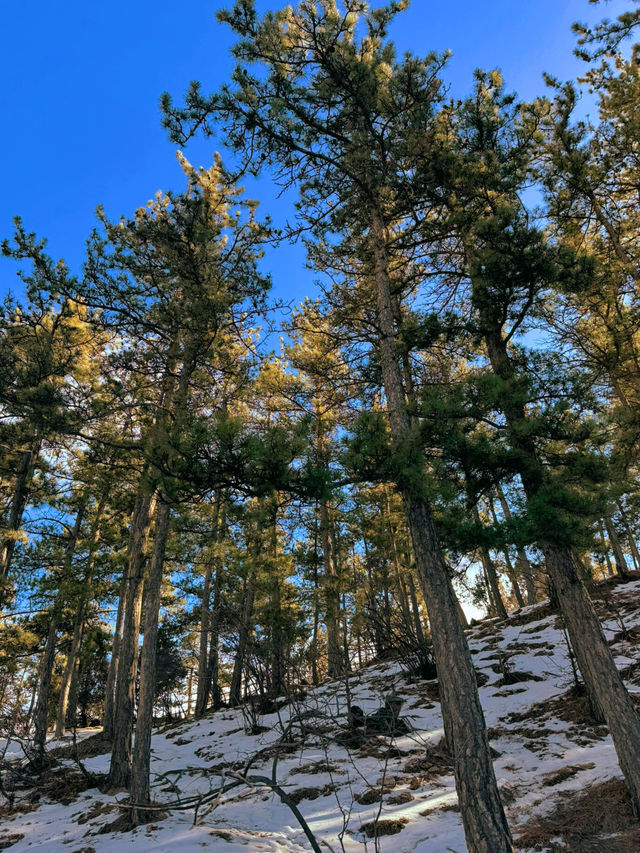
485 825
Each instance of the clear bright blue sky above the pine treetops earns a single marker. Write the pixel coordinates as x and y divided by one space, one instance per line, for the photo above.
80 83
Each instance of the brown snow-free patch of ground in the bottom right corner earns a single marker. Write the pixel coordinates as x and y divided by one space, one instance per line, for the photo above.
591 821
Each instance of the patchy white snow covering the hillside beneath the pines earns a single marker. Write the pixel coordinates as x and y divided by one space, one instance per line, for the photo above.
254 819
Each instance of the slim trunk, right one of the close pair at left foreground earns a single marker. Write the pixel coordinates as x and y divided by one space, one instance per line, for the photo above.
140 791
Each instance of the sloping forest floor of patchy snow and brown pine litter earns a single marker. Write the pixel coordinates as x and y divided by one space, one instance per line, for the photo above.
556 768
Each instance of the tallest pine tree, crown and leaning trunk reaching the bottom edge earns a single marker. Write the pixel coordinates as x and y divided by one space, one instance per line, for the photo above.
340 114
